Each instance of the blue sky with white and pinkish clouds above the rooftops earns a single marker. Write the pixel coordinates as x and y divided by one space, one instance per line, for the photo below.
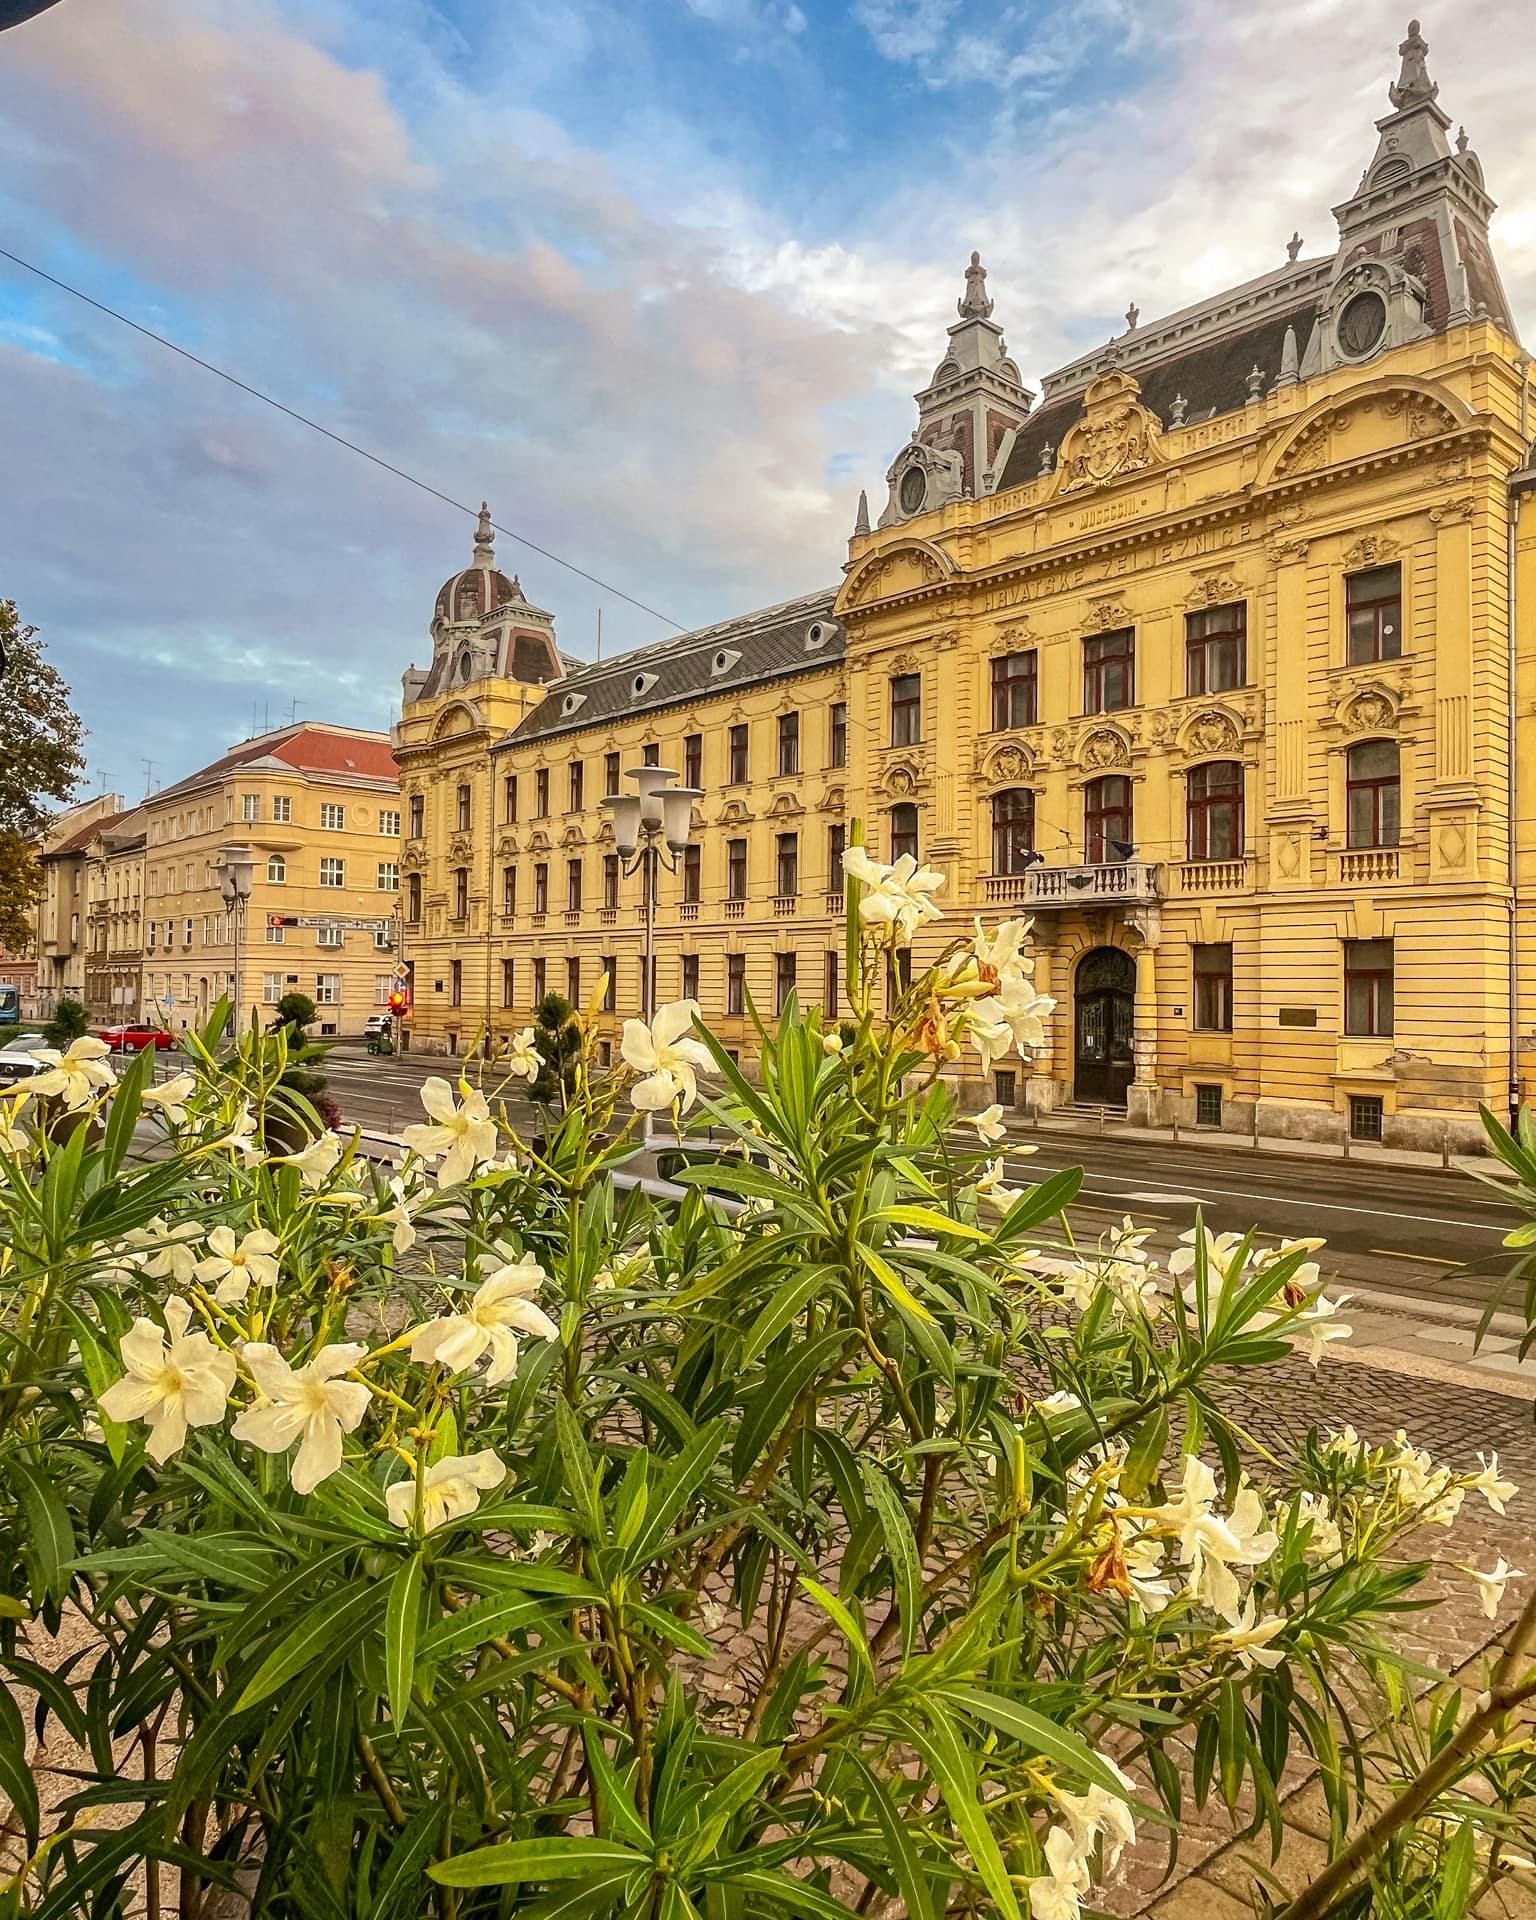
656 277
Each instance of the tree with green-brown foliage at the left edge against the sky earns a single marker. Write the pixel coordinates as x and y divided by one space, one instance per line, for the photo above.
41 759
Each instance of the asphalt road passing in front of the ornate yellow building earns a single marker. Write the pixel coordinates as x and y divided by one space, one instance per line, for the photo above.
1397 1230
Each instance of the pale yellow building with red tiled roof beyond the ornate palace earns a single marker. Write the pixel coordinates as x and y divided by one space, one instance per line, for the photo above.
318 811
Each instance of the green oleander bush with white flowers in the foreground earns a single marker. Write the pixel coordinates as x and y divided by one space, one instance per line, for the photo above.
479 1537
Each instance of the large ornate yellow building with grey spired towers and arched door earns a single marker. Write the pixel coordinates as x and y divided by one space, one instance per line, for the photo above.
1216 660
